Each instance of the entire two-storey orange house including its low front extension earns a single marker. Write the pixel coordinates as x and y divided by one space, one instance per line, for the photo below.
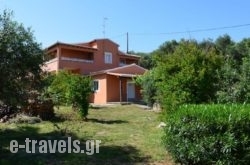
111 69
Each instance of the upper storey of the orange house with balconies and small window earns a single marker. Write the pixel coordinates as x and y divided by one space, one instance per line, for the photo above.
87 57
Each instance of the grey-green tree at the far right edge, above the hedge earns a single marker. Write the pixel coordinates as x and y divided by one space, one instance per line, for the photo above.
233 75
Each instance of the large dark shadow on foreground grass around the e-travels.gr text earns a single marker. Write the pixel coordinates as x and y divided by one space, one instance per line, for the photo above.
110 154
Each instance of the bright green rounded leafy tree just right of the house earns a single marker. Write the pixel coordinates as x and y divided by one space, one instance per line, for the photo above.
187 75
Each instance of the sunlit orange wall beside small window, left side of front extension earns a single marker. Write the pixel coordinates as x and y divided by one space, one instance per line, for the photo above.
100 96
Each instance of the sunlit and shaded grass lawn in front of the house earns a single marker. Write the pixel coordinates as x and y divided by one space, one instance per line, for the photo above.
128 134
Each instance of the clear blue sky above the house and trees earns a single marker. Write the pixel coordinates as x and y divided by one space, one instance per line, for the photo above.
148 23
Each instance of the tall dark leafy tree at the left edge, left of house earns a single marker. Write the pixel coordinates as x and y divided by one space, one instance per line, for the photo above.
20 62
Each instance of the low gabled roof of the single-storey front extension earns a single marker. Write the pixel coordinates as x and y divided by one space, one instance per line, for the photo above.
123 71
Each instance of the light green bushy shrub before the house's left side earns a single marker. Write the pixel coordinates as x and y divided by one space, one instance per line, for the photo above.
71 89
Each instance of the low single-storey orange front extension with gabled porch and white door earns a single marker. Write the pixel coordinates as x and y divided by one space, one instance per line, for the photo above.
116 85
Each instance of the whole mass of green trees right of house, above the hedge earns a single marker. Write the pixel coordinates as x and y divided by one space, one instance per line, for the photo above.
205 72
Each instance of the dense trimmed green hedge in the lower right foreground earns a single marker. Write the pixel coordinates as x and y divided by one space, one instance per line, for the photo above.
209 134
